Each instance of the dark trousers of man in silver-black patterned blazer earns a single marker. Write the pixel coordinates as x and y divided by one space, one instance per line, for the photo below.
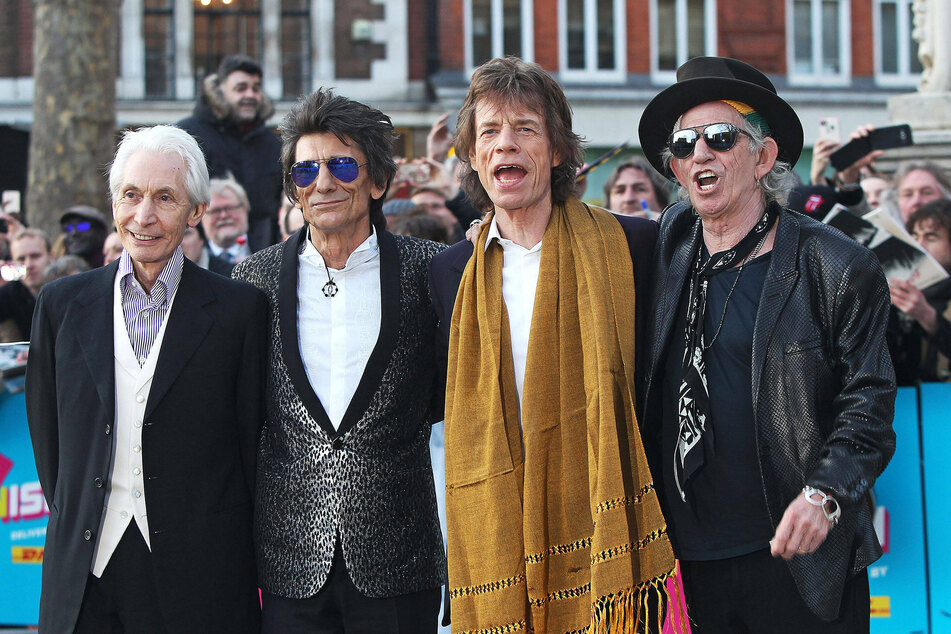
339 607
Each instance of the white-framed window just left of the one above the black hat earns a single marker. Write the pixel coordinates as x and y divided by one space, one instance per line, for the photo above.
591 40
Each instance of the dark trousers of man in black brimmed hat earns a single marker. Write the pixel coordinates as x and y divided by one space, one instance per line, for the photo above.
756 593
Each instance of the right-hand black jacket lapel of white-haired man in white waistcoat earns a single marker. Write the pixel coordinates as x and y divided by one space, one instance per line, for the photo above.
188 323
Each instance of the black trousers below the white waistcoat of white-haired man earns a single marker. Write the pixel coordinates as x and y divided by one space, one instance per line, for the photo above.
124 600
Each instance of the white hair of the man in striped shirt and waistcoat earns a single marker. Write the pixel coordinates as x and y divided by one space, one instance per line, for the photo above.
164 139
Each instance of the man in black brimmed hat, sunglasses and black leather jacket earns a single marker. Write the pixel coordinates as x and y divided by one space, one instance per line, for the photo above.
770 394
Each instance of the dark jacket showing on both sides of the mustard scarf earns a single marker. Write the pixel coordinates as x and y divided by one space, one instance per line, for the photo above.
447 267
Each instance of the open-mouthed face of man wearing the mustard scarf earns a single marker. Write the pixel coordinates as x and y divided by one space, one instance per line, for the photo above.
513 156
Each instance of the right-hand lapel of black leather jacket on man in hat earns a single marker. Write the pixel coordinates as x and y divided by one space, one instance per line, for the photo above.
780 279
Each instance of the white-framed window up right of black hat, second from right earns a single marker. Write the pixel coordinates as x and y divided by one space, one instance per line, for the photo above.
819 44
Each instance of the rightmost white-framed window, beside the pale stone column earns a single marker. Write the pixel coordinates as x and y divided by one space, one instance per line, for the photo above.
896 52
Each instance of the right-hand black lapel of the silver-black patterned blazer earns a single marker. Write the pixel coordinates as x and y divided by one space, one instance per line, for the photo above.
389 329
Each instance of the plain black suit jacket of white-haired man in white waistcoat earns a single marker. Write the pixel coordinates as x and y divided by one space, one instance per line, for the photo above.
200 434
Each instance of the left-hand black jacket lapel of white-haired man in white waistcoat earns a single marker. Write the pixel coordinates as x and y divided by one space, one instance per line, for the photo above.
95 332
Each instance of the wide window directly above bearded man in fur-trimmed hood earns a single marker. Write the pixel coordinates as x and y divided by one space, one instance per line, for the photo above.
225 29
